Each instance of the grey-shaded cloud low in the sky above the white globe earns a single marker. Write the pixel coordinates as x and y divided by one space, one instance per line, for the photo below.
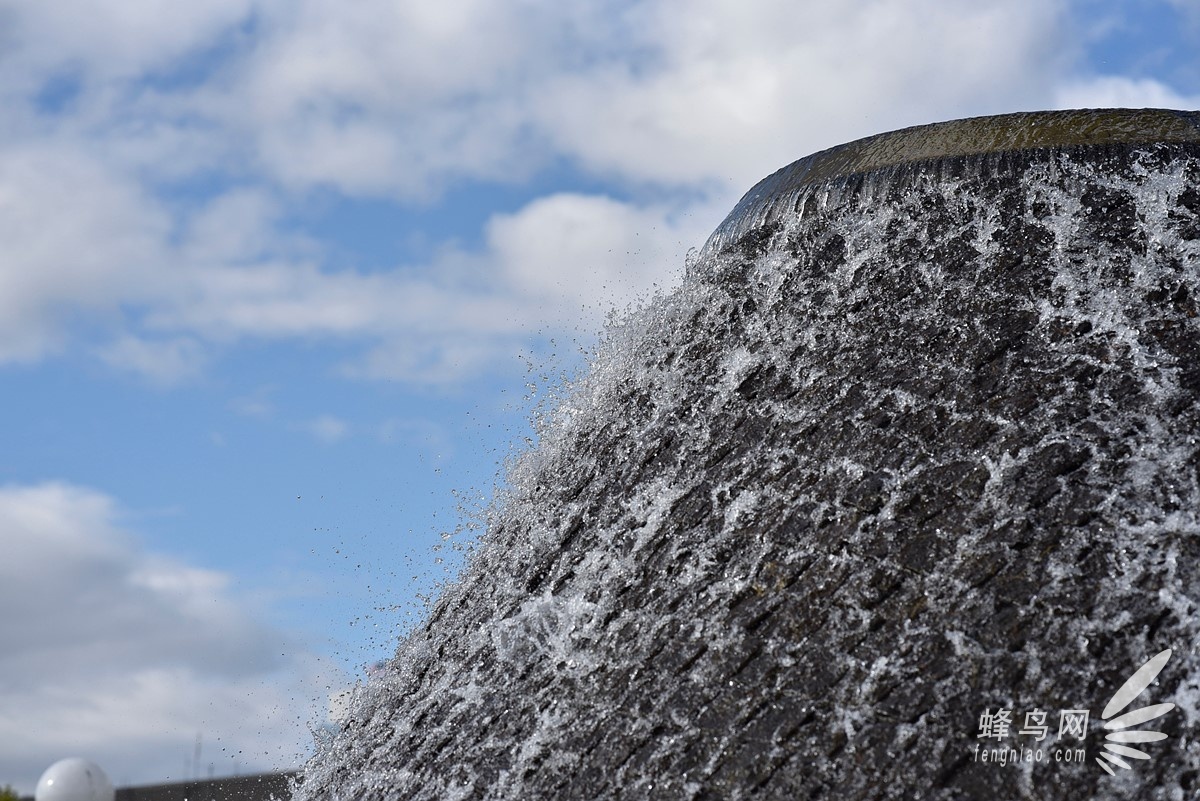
124 657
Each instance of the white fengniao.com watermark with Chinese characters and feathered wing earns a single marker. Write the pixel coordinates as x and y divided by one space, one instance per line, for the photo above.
1119 744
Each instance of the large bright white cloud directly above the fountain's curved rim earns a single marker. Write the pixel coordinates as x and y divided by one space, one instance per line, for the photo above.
735 91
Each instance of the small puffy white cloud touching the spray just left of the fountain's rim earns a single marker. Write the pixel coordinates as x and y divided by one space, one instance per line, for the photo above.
556 266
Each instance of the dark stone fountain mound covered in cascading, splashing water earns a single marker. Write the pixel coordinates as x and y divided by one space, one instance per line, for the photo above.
915 444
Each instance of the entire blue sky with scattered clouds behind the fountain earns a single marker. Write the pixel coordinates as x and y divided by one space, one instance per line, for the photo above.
281 282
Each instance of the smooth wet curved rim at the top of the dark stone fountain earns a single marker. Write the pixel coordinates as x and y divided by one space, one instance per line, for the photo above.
973 137
